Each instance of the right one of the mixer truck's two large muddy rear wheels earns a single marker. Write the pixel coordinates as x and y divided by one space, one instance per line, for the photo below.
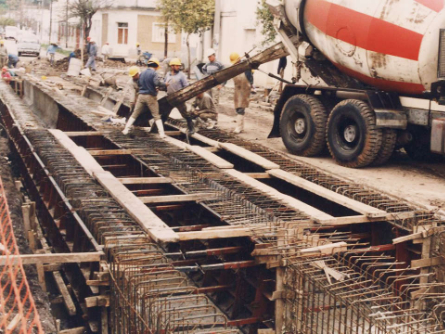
352 137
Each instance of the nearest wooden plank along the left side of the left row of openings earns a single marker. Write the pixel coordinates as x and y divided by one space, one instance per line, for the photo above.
151 223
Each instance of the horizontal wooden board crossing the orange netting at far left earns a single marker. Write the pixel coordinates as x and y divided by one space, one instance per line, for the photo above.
54 258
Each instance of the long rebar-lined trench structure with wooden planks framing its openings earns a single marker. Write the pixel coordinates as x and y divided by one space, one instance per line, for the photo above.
226 241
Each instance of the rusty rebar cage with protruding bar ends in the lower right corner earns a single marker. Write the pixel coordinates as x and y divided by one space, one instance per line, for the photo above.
358 292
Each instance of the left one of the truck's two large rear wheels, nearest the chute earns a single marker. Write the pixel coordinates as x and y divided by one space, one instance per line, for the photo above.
303 125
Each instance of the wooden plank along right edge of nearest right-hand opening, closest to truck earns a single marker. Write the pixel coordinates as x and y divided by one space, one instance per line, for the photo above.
330 195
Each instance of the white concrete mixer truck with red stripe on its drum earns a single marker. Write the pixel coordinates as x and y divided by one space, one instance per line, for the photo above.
382 65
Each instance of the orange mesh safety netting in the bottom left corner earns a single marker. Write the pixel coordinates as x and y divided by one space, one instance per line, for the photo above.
18 313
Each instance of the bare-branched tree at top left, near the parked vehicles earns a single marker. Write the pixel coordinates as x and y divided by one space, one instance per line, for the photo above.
85 10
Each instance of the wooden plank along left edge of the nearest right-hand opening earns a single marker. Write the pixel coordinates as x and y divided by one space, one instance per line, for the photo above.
289 201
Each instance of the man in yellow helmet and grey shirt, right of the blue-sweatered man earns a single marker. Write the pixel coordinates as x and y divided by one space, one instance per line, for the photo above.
177 80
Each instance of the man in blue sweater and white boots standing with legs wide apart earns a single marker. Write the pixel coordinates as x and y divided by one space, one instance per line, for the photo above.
149 85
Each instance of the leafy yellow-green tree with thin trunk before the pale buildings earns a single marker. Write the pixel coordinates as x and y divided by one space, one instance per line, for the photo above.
190 16
